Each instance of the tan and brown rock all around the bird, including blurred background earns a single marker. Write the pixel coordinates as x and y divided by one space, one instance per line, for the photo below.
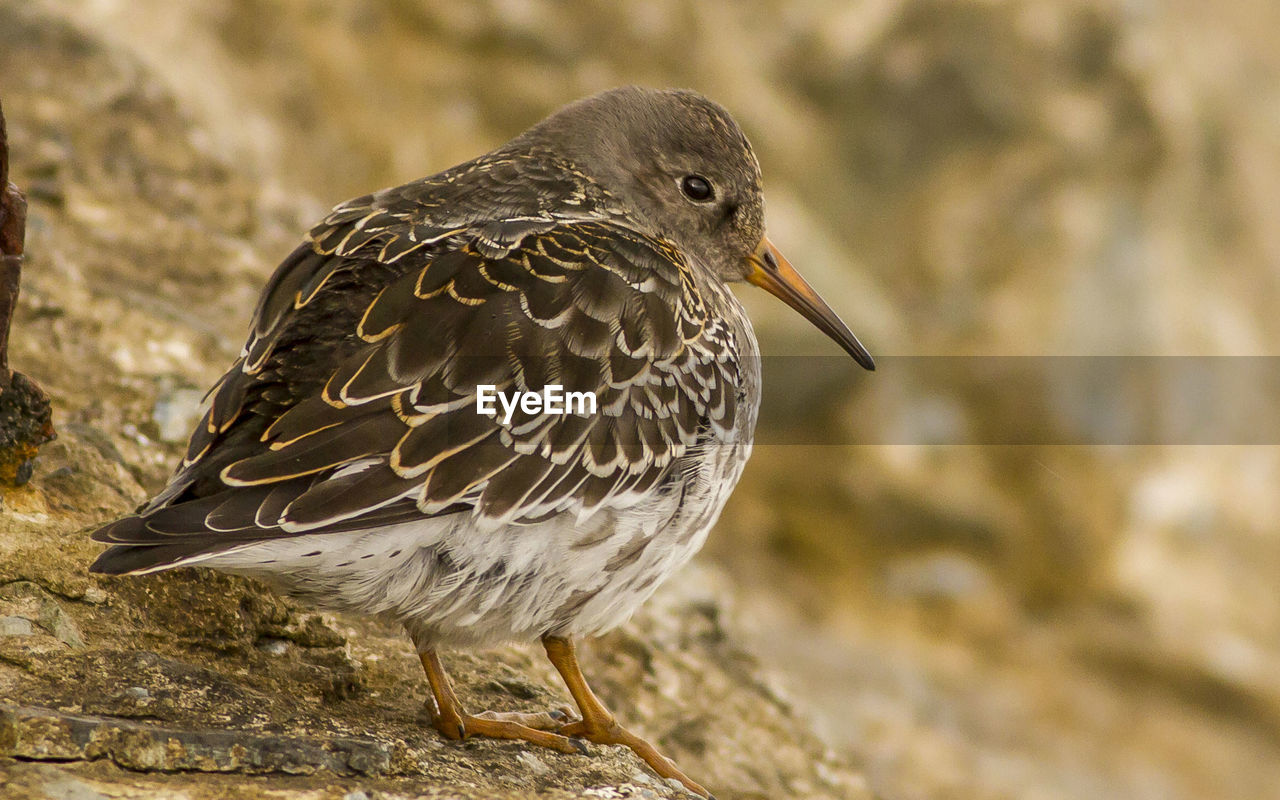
982 179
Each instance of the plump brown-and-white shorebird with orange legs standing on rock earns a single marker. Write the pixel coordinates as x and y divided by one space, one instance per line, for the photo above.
344 458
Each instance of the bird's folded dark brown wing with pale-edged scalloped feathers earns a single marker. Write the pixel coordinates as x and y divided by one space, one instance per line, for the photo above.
355 405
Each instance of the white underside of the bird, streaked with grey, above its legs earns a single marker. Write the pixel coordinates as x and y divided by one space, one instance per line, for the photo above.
454 583
